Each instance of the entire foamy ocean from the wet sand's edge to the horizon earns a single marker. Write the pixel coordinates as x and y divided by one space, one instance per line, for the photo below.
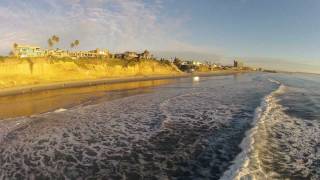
242 126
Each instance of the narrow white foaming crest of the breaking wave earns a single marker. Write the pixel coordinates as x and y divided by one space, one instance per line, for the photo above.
247 164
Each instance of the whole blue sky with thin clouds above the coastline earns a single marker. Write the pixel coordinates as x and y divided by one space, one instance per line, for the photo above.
275 34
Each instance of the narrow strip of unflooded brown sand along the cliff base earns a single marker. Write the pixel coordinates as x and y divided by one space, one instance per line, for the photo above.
83 83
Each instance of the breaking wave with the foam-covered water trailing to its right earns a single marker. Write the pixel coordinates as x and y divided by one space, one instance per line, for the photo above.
279 146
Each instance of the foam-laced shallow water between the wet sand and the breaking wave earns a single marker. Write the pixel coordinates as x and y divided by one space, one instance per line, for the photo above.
188 130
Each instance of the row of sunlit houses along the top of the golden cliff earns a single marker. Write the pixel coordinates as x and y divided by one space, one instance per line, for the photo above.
25 51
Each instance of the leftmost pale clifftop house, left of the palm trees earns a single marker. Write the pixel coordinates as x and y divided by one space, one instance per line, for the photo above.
24 51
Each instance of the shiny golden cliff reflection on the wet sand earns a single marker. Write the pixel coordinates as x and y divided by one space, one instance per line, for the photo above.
40 102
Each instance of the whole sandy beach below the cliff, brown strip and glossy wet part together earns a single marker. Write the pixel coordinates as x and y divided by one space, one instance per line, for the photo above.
36 99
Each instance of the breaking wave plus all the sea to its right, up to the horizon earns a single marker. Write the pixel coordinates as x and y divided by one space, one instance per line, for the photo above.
284 142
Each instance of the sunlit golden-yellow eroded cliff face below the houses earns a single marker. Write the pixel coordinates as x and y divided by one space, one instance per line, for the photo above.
20 72
